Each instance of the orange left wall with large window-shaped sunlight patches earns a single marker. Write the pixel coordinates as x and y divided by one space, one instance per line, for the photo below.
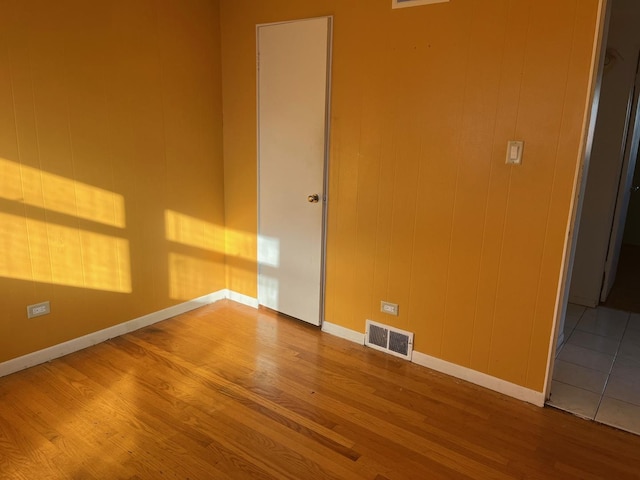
111 173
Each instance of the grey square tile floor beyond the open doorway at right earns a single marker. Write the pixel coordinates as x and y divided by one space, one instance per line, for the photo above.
597 370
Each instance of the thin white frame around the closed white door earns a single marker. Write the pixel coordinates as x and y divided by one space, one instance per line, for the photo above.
327 132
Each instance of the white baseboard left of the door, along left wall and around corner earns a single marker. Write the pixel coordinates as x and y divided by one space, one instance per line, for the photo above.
56 351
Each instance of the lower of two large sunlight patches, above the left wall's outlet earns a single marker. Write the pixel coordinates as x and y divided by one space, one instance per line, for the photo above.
42 252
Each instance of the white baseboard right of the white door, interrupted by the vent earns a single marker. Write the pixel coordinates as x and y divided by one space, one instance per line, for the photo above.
463 373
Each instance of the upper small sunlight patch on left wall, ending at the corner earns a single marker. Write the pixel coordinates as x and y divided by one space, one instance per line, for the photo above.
191 231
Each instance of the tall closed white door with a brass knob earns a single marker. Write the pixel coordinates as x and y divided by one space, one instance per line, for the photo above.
293 65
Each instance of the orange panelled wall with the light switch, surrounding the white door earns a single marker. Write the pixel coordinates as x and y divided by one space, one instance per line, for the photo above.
423 211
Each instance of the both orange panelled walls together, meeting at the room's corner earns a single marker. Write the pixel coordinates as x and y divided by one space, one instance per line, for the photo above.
124 119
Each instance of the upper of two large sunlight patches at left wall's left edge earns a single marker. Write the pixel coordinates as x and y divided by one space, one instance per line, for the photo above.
31 186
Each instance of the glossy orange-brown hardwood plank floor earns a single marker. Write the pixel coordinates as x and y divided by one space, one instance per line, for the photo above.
232 393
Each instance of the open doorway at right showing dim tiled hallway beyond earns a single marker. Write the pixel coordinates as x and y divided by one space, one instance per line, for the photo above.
597 360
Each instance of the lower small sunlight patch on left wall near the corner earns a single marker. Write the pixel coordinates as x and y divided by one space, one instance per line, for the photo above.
190 277
